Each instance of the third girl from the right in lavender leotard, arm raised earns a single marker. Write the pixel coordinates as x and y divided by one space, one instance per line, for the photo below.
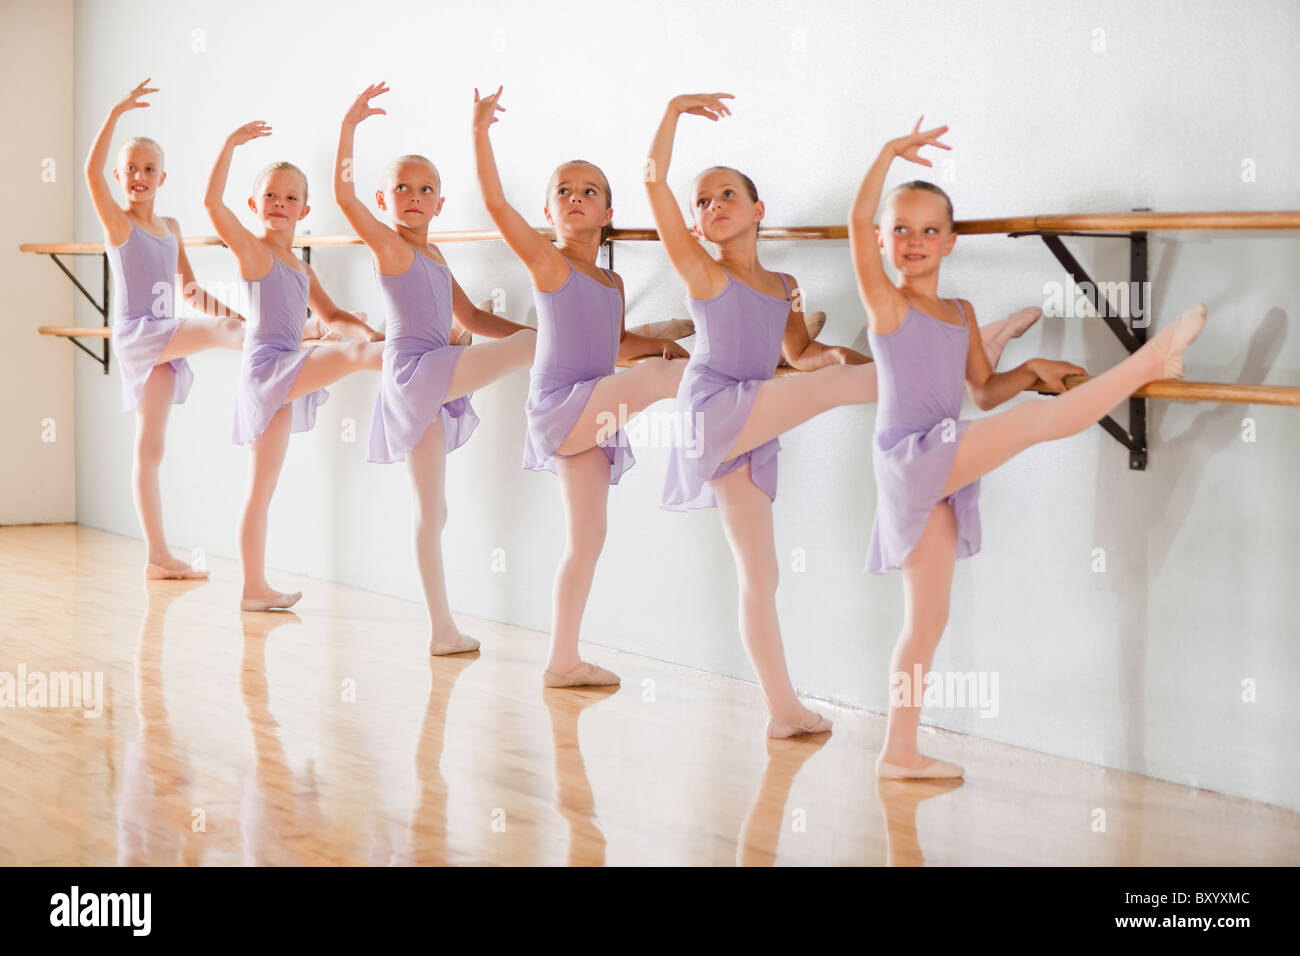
573 387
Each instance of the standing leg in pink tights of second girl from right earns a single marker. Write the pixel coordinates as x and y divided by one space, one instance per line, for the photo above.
747 513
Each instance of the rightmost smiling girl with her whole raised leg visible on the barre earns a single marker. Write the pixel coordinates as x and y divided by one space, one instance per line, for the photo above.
928 462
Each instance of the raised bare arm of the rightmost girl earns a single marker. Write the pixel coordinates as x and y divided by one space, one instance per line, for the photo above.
885 304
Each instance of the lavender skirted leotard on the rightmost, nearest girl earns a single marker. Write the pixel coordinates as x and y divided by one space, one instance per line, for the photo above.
922 371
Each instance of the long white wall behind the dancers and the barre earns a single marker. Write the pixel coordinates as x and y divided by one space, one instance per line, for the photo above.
1138 668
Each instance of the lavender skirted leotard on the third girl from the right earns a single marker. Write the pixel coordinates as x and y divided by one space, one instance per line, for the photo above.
578 341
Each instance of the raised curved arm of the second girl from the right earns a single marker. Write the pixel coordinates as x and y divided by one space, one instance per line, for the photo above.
694 265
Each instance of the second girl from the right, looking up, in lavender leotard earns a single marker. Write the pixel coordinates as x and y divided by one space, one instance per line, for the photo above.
733 408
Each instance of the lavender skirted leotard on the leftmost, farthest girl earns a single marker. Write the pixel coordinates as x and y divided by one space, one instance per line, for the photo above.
144 314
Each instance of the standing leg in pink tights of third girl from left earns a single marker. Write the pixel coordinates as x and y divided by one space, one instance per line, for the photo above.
427 464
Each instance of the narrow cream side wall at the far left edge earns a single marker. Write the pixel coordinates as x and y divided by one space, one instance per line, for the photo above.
42 175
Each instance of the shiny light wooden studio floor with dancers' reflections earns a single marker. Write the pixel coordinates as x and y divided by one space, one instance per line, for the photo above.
328 737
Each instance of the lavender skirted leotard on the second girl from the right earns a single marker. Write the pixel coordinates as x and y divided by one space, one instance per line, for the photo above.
738 345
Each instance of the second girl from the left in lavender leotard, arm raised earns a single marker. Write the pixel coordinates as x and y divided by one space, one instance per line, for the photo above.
280 384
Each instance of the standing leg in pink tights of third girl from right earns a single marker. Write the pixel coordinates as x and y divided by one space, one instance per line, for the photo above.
586 486
